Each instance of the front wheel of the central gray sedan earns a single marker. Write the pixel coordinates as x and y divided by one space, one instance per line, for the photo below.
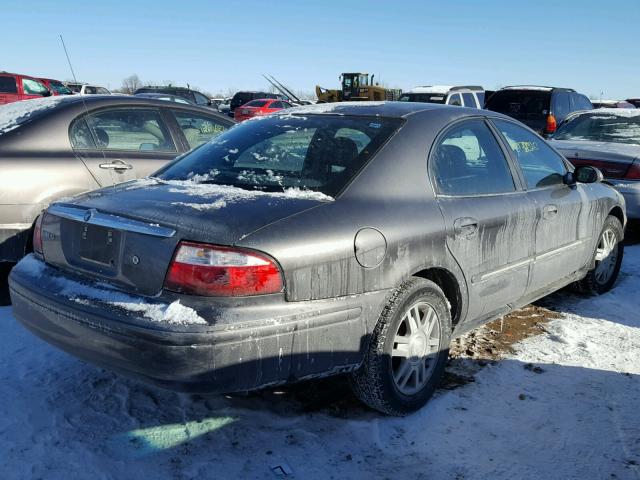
608 259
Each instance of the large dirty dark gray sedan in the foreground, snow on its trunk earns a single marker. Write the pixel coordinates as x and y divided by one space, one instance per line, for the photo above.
345 238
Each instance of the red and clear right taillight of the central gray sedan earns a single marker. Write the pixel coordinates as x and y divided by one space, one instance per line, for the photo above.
209 270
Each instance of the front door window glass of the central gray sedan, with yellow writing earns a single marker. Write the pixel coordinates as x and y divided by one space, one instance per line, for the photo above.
540 165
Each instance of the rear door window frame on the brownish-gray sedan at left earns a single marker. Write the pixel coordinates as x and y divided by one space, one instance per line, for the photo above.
151 153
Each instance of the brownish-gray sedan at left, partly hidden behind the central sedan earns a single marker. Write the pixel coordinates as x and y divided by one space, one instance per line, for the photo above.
60 146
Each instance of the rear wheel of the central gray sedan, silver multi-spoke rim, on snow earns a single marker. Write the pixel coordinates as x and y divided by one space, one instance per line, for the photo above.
408 351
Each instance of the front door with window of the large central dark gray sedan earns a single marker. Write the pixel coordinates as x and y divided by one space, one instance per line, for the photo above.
564 220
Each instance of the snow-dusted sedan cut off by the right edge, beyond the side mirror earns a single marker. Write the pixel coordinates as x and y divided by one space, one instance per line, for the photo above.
610 140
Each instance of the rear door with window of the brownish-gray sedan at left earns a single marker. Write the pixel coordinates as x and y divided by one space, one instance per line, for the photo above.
119 144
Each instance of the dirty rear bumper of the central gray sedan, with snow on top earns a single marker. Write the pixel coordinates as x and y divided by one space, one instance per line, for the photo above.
274 344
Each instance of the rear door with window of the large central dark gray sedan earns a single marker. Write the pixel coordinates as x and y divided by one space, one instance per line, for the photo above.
489 218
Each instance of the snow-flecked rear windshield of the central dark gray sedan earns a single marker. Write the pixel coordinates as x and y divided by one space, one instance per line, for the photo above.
313 152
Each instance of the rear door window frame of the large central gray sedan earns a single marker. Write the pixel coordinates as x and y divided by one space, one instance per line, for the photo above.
515 173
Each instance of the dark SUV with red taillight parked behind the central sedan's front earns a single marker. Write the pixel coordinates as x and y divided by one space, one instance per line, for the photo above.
540 108
